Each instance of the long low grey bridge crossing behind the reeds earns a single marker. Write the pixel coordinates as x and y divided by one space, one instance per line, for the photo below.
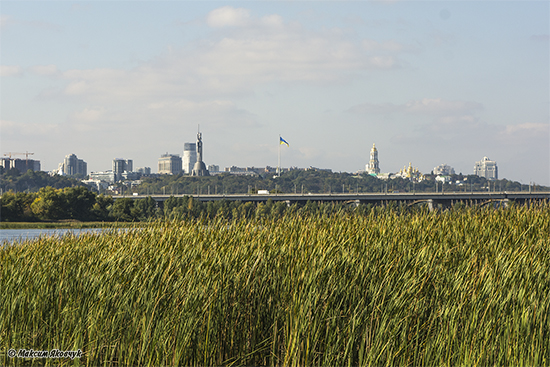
433 200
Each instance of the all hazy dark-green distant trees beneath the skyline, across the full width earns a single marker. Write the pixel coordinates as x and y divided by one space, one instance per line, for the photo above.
294 181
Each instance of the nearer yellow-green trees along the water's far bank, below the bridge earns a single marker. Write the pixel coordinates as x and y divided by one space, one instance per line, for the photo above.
82 204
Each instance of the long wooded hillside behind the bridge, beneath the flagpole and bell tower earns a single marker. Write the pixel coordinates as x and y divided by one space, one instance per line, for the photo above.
317 182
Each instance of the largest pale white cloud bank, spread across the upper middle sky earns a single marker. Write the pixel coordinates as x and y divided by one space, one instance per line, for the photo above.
235 62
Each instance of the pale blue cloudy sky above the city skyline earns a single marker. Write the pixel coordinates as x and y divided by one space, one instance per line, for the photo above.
429 82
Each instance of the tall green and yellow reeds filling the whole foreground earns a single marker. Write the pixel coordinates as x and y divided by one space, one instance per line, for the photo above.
461 287
